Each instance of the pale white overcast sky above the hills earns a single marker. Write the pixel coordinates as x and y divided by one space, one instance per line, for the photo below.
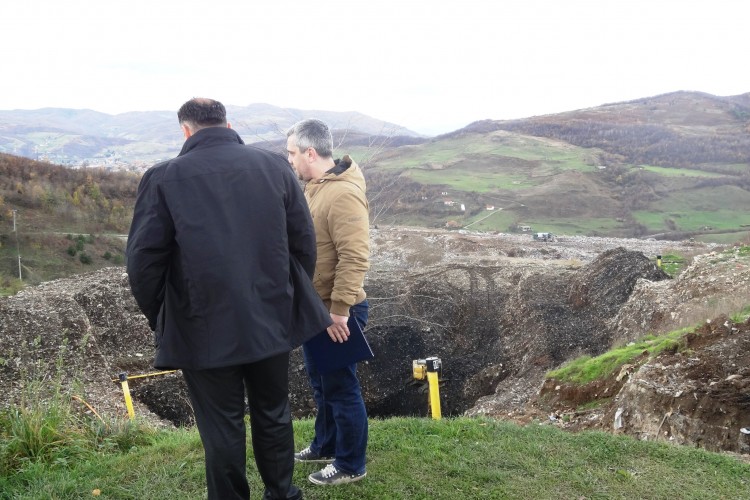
430 65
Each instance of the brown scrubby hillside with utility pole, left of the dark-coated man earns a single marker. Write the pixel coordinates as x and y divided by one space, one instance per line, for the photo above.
66 221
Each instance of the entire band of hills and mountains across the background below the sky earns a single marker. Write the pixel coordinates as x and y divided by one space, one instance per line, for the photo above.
580 179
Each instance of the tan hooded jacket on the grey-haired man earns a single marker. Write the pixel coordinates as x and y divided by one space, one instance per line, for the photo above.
342 230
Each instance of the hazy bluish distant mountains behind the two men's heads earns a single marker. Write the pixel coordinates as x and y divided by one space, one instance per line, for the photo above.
70 136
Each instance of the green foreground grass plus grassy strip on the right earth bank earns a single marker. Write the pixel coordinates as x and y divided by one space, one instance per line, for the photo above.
49 448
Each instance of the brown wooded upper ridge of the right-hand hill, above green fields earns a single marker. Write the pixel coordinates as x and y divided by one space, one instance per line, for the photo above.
679 129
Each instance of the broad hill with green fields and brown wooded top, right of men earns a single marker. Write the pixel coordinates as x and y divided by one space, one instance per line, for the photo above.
674 166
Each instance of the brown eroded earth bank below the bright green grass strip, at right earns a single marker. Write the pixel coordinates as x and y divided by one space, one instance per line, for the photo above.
698 396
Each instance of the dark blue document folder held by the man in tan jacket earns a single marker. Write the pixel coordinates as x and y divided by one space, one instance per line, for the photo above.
329 355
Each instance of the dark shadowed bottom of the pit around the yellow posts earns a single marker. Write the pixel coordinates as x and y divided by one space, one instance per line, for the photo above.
388 386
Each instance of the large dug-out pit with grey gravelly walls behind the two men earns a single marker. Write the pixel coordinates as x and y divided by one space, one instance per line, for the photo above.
485 323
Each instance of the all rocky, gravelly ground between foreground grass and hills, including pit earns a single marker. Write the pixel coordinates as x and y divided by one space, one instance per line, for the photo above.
499 310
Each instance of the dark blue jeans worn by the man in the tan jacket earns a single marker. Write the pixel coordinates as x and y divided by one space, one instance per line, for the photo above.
341 421
